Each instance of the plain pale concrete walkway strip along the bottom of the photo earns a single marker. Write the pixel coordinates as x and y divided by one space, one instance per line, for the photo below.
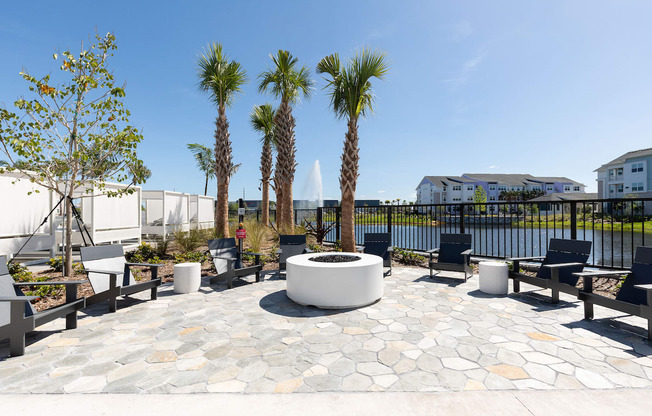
504 403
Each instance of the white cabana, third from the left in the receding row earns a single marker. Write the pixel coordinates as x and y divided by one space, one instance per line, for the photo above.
165 212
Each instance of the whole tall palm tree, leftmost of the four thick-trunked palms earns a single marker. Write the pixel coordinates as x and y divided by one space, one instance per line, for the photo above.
222 79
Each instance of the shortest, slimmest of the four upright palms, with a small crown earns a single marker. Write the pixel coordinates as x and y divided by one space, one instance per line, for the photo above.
262 120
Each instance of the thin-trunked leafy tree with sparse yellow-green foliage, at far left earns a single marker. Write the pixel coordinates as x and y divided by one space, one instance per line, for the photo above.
74 132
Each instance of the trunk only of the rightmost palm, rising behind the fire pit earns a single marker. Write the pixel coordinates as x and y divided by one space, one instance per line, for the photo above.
348 180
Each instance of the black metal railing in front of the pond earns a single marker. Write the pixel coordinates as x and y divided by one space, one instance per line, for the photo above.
510 229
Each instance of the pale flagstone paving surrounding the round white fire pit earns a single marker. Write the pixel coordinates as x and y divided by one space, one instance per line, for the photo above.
424 335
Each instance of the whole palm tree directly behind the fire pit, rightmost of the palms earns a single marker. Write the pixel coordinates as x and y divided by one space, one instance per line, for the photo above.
351 97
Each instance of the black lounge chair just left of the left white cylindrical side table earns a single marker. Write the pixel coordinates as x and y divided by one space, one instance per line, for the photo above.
104 264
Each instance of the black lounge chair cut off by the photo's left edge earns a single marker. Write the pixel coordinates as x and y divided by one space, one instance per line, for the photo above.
18 316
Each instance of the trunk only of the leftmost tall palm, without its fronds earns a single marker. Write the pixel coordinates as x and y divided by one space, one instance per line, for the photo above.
223 166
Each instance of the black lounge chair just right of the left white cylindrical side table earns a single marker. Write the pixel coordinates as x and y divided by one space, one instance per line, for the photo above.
228 261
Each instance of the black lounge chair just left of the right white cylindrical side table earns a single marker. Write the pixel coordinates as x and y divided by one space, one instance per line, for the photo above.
454 254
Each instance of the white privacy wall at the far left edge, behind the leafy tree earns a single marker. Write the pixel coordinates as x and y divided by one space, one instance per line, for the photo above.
21 214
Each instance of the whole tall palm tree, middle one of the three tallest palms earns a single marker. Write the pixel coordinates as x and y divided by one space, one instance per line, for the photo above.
285 81
